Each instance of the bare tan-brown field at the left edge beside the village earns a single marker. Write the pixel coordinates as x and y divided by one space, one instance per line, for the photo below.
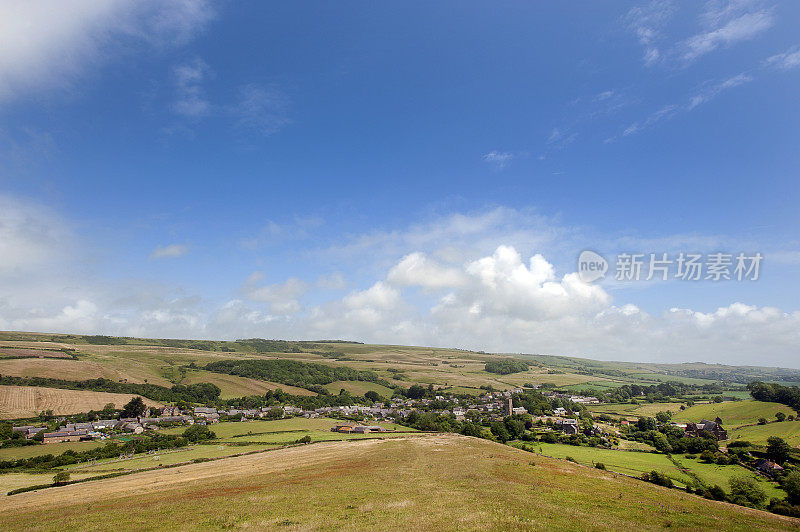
28 401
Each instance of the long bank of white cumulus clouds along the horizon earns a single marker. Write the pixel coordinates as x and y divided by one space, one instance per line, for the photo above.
462 284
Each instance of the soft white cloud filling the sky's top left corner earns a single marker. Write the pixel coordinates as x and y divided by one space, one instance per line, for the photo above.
51 43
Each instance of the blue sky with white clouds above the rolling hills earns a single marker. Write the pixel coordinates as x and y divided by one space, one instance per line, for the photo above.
386 173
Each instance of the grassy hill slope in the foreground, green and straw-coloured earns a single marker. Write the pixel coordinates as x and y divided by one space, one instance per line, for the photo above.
378 484
